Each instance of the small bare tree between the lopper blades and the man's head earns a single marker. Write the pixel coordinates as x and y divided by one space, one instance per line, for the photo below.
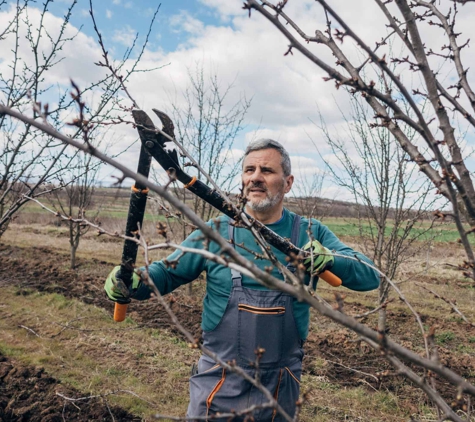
207 123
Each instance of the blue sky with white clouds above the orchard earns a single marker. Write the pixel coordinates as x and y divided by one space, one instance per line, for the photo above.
288 92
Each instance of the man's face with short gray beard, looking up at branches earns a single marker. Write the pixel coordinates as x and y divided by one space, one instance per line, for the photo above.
264 183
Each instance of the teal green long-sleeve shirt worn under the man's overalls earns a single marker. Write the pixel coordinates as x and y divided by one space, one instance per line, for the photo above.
354 275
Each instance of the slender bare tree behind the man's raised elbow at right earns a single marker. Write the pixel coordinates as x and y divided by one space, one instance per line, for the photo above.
393 200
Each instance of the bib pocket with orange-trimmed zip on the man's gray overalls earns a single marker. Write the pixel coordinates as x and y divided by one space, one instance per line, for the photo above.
260 325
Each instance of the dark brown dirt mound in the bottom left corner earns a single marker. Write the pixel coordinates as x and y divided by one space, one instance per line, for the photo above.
29 394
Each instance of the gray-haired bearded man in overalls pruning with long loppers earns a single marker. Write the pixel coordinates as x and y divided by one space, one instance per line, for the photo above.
240 315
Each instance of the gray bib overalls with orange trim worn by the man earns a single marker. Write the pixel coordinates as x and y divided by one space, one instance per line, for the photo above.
253 319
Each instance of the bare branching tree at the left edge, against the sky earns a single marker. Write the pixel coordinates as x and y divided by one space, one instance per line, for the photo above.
33 164
